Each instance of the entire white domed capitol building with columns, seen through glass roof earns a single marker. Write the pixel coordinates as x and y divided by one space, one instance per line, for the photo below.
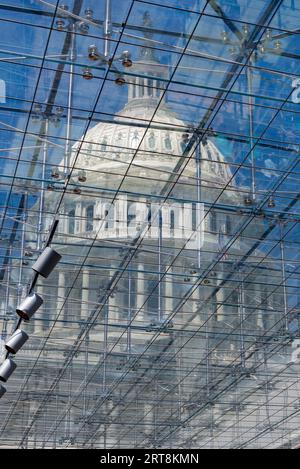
146 298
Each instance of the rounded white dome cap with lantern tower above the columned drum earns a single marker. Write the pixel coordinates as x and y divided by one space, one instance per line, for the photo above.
109 147
